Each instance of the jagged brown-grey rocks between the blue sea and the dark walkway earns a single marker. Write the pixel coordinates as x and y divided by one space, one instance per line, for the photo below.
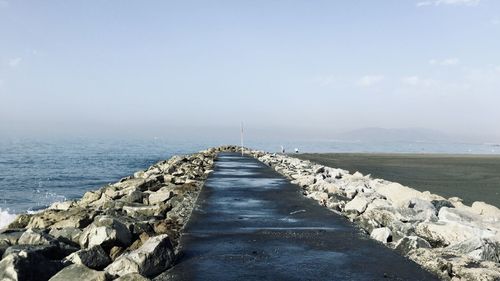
128 230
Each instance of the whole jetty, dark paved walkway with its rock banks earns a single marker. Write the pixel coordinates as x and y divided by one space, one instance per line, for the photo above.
231 213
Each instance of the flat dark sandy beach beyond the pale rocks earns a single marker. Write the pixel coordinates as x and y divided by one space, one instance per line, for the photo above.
470 177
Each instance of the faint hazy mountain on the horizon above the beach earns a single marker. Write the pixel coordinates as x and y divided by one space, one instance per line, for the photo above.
395 135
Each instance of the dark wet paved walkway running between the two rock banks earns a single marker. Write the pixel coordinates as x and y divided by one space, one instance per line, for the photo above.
250 223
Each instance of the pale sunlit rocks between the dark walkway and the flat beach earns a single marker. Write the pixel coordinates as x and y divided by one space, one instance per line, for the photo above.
455 241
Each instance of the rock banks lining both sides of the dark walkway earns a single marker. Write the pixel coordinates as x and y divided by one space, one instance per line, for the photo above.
130 230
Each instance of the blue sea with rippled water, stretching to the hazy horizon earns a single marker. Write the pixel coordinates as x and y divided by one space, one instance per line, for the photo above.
37 173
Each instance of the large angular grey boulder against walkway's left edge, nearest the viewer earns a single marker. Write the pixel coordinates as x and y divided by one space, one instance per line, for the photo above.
152 258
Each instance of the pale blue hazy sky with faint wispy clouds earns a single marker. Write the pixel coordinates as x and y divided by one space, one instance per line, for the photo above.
157 68
